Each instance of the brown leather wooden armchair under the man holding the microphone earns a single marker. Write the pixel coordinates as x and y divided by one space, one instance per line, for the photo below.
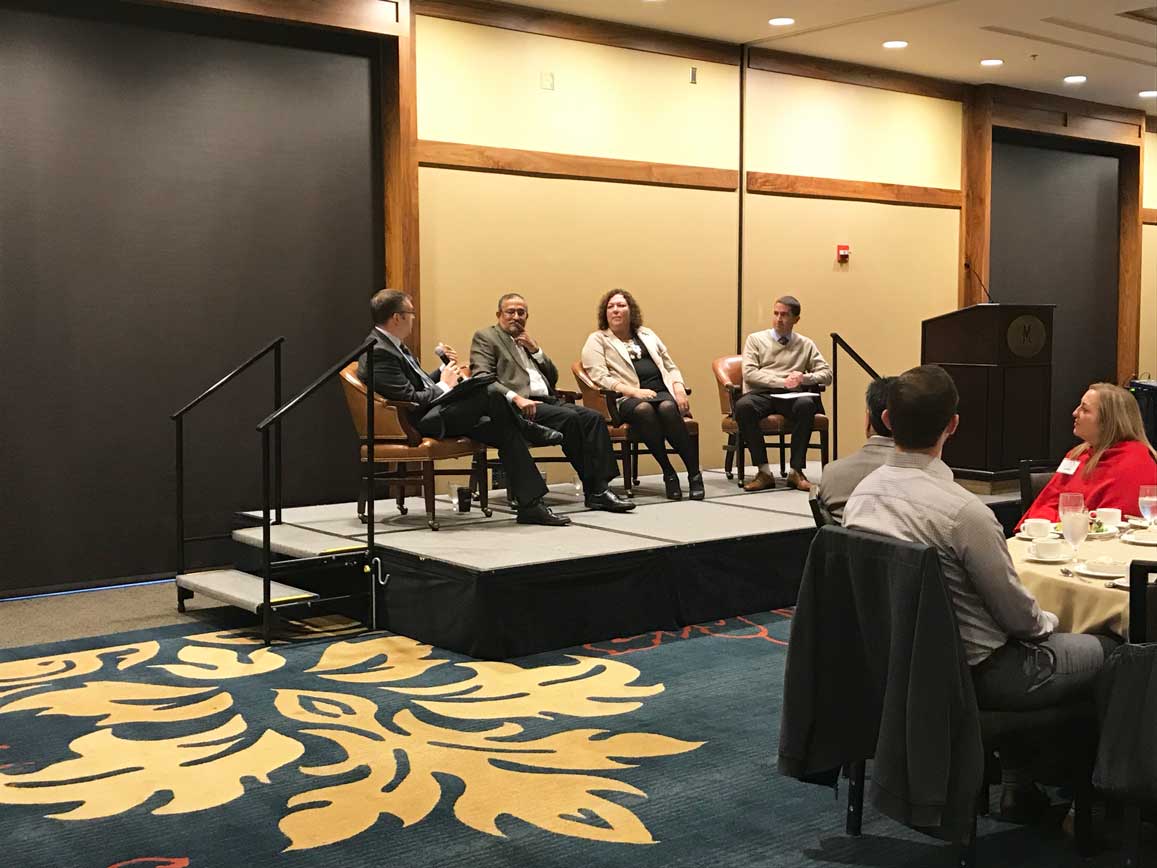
403 454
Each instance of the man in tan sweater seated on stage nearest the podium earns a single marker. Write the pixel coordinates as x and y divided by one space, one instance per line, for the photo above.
777 362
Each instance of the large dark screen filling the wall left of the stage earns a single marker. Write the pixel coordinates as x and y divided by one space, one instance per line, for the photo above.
173 196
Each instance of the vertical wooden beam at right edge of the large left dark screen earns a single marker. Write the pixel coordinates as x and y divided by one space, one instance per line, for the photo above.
400 143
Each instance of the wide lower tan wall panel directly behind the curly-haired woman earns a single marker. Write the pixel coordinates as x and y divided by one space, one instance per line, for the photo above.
563 244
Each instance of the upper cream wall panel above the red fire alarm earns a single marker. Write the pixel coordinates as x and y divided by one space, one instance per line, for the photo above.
824 129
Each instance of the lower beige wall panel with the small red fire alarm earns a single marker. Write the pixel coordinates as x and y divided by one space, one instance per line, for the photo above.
903 271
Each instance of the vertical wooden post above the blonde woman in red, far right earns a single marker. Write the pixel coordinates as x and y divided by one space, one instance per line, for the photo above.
1129 273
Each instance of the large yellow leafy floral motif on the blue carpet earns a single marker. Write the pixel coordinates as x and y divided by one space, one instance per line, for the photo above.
392 757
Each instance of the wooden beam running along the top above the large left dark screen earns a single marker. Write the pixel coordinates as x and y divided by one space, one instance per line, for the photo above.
367 17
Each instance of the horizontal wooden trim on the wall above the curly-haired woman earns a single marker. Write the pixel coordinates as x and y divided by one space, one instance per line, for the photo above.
541 164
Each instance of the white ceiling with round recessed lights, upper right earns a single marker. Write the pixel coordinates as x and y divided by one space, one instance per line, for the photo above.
1041 41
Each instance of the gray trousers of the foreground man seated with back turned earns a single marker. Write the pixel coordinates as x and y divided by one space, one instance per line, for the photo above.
1025 676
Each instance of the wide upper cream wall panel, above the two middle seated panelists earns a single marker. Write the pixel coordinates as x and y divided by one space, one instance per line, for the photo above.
482 86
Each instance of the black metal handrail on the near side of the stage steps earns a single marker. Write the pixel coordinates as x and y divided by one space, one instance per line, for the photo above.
275 421
